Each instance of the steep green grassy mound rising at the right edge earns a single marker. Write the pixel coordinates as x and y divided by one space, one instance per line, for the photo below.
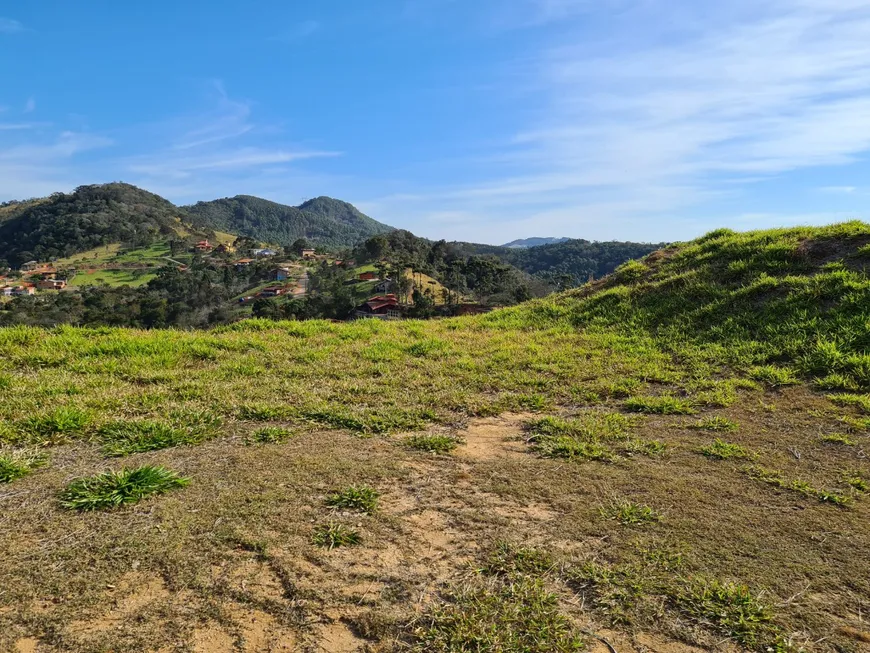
774 304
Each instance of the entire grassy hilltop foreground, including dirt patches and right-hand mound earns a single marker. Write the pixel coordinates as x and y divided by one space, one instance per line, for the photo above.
671 456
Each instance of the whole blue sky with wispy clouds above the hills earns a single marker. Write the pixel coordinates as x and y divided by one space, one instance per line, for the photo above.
482 120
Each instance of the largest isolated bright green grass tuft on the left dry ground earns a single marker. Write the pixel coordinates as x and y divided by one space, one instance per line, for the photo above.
110 490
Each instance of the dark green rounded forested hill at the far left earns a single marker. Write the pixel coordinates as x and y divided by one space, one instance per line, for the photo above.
67 223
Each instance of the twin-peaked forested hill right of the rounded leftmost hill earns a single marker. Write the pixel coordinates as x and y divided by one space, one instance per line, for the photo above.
323 221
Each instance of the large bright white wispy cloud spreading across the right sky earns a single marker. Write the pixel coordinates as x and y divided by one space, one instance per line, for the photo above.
676 104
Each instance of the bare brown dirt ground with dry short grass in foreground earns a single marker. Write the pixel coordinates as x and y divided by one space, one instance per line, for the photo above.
227 565
